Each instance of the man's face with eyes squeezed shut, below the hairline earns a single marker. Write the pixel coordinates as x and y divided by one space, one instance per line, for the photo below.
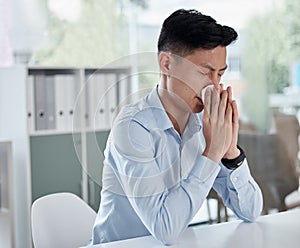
191 74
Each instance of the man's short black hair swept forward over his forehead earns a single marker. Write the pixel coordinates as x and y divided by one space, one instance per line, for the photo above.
186 30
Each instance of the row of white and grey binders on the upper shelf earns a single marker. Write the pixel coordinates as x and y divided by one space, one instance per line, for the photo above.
62 102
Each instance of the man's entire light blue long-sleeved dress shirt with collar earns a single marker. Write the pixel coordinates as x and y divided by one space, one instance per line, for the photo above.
155 181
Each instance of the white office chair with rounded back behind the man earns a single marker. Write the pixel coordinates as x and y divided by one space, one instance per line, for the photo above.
61 220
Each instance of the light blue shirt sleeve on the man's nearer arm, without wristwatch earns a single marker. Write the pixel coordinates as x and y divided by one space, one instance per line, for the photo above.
165 209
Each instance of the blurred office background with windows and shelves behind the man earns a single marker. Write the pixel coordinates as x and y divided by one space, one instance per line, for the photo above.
67 66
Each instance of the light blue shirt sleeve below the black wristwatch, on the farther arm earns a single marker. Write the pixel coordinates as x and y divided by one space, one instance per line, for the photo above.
240 192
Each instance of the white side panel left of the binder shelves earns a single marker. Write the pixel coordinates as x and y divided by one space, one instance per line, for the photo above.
13 127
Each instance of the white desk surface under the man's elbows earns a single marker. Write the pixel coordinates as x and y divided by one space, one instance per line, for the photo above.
276 230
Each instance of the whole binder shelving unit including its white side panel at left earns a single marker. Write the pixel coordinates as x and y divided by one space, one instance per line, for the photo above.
58 120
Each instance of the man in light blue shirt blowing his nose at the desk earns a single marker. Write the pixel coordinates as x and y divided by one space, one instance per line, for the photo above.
168 150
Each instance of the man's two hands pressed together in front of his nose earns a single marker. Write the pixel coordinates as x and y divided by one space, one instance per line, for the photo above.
220 124
